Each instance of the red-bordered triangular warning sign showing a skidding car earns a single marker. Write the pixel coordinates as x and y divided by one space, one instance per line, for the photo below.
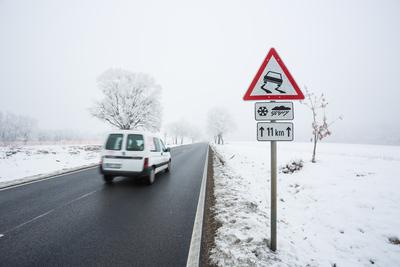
273 81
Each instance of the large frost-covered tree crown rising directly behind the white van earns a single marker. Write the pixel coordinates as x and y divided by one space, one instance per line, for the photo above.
131 100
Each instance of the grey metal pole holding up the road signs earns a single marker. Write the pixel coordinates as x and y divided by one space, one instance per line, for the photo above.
273 195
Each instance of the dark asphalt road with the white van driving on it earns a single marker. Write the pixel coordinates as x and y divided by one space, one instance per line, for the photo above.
77 220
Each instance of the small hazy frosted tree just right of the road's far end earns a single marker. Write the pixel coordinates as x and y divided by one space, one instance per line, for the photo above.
219 122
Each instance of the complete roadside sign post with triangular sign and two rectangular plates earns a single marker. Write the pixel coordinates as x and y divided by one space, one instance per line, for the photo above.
273 82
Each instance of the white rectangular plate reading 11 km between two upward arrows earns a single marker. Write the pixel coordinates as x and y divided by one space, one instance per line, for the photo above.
274 131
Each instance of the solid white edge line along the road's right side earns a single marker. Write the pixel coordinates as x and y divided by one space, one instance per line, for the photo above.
195 242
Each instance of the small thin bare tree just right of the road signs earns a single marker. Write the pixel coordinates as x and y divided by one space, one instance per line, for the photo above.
320 127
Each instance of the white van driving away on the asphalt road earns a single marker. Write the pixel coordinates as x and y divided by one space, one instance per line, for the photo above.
134 153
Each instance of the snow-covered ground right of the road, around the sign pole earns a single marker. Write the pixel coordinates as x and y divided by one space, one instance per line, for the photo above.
341 211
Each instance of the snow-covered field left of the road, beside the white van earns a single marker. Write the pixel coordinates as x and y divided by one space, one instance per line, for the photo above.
24 163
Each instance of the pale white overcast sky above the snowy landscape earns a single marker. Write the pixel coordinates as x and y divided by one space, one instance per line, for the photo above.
204 54
